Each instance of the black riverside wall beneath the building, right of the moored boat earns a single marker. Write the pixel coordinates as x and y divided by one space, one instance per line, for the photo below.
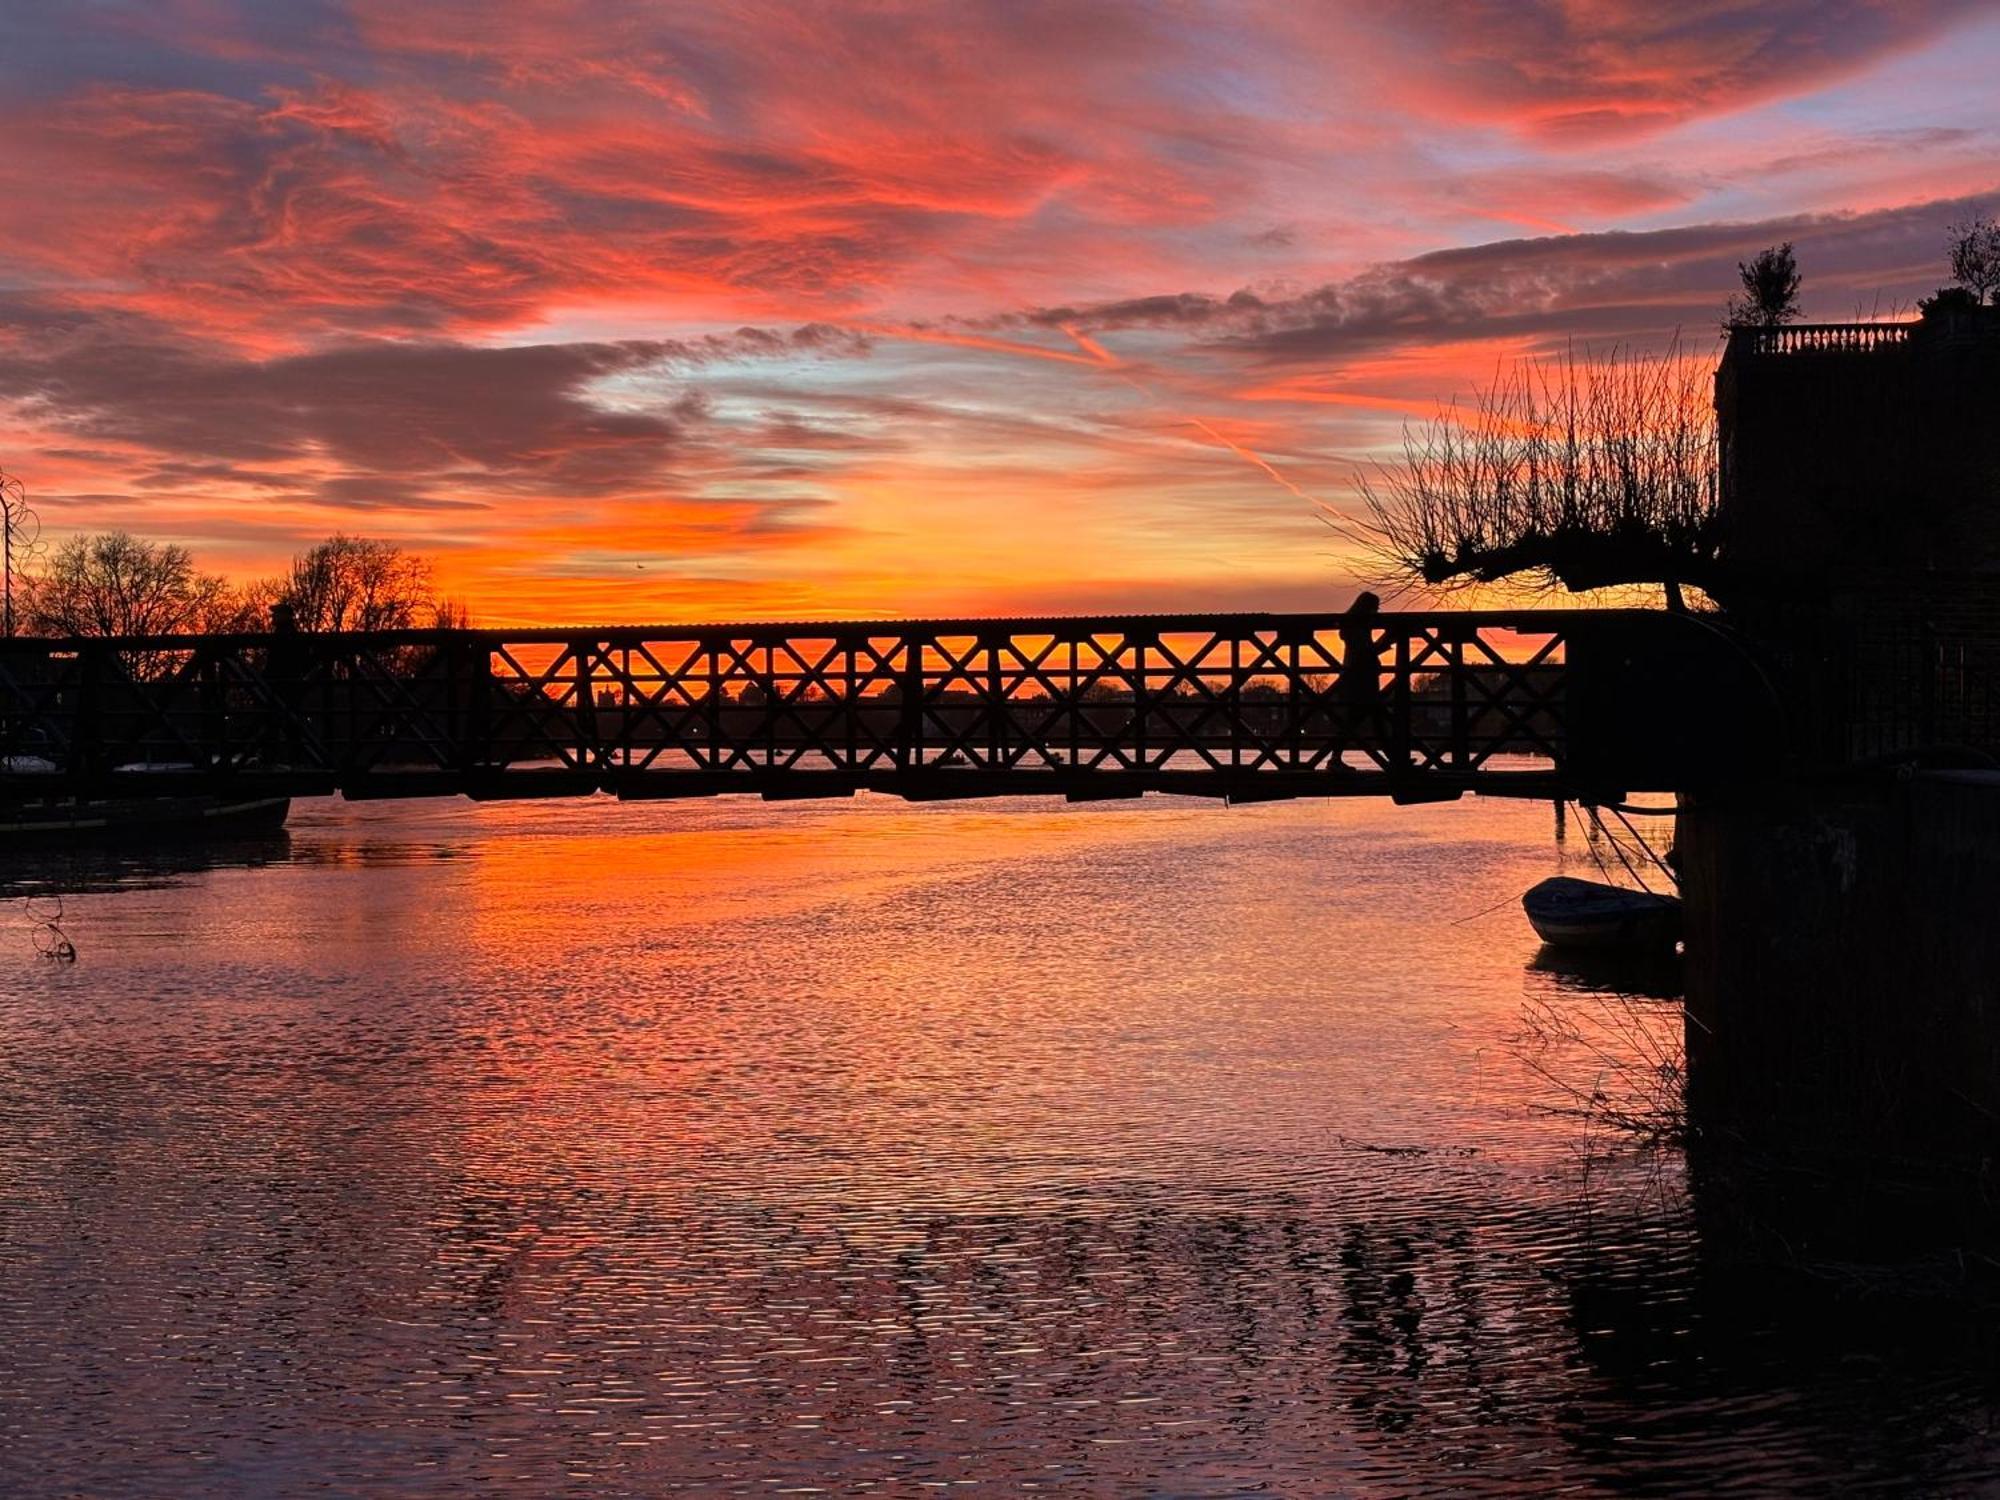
1843 1009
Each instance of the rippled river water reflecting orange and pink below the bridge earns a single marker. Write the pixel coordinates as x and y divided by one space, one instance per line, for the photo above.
721 1149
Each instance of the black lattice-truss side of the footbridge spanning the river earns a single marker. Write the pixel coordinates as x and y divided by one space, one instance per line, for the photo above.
1235 705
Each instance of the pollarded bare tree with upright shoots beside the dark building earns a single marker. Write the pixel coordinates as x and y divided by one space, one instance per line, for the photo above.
1575 473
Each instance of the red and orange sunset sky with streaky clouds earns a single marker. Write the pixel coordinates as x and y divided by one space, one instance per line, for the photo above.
767 311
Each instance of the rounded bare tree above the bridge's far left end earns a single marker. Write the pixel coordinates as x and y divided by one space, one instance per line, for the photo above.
119 585
